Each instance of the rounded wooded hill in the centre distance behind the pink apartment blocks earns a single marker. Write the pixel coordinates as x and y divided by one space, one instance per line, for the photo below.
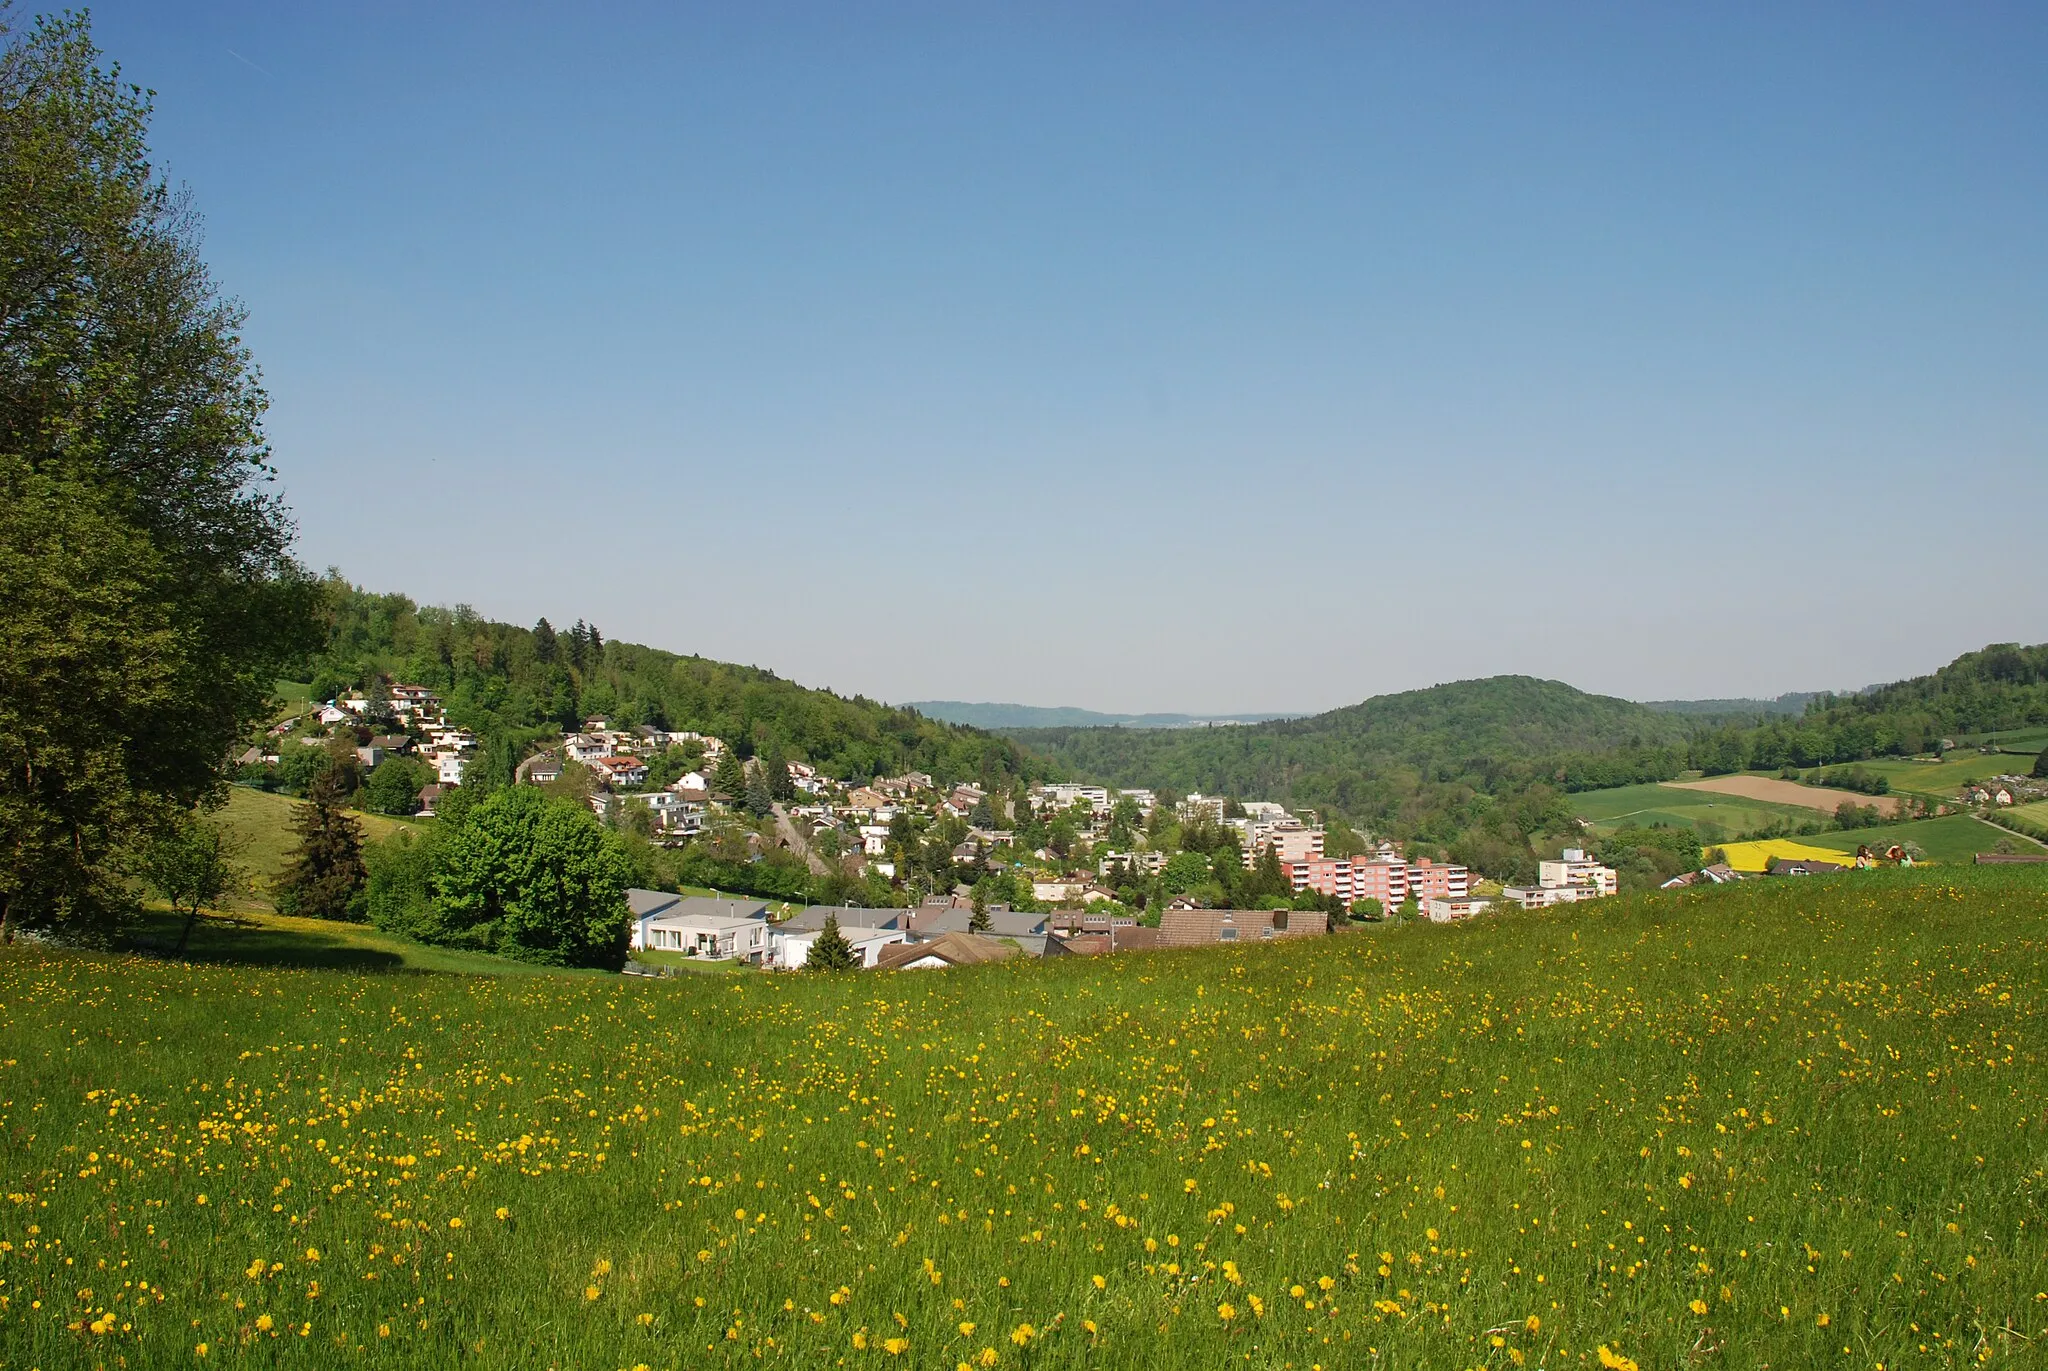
1363 757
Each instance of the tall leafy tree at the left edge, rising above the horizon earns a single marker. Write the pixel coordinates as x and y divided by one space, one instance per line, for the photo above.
146 585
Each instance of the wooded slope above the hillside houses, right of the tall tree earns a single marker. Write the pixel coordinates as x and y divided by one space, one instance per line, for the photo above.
513 685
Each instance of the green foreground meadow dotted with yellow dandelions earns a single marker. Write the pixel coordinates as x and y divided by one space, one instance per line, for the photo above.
1781 1124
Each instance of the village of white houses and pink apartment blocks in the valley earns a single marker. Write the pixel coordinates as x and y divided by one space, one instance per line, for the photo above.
1097 880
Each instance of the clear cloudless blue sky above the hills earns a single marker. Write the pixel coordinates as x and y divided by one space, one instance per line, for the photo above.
1154 358
